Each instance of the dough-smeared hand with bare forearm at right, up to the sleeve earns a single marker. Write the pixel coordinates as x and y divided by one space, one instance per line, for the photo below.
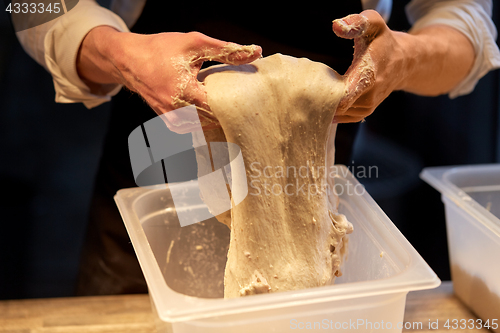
429 61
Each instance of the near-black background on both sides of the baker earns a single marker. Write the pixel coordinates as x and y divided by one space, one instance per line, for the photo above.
49 154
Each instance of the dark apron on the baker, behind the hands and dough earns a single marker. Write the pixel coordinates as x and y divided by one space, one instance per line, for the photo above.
108 264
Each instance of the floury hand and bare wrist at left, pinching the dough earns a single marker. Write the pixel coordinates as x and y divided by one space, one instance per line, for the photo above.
162 68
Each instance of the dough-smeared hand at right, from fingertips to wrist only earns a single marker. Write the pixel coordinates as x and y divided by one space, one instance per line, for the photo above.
377 68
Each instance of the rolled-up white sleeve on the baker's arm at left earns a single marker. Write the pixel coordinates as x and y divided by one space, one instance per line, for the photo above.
55 46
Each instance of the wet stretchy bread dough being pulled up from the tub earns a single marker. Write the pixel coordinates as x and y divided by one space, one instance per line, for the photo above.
286 234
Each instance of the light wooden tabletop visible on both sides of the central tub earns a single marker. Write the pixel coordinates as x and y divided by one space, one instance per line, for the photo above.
132 313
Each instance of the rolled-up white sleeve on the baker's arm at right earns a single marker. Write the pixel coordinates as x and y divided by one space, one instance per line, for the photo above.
473 19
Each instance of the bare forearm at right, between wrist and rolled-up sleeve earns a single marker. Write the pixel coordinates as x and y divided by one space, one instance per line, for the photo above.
438 59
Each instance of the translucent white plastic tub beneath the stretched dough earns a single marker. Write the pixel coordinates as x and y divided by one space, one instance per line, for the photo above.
184 269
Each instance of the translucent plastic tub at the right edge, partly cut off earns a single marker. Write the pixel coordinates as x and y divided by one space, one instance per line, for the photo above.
471 195
